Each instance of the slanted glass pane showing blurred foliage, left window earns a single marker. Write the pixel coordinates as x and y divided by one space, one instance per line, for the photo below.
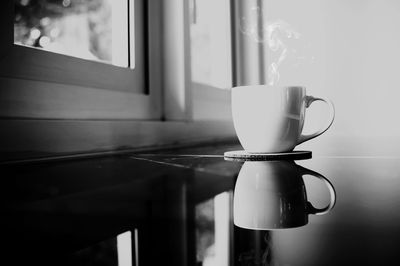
88 29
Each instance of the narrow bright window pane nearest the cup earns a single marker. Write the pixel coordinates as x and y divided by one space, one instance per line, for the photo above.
210 43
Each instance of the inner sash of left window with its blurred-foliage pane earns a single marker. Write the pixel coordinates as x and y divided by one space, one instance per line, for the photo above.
61 26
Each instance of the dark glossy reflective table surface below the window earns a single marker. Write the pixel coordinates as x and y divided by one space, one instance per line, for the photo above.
192 206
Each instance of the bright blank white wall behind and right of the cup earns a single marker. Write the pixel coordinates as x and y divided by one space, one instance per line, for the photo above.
356 49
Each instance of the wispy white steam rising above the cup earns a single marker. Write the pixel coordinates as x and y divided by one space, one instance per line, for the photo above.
276 36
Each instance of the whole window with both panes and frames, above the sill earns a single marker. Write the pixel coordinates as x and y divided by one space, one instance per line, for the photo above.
67 48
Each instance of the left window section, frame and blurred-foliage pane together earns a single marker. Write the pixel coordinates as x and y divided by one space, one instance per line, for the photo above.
52 48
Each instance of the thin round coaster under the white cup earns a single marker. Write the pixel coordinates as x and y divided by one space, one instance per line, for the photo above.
246 156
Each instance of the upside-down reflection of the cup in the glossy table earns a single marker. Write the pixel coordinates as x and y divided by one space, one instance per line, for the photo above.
272 195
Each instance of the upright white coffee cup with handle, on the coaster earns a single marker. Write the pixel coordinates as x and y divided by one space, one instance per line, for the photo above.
270 119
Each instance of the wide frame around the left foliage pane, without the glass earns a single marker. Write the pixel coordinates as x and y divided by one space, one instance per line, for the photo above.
49 70
